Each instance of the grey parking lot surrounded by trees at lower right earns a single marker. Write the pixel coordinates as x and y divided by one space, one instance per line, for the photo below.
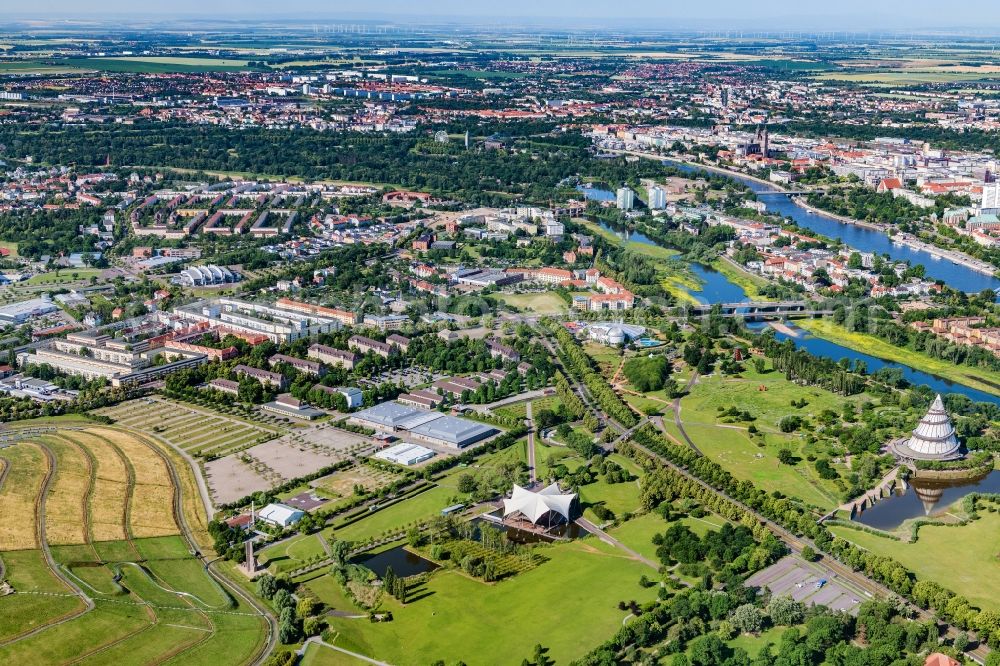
800 580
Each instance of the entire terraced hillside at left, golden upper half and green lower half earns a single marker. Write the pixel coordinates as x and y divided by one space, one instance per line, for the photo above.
92 545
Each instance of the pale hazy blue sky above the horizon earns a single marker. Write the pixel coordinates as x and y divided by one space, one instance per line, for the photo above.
855 15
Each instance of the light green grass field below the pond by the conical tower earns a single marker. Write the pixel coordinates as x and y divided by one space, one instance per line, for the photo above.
962 558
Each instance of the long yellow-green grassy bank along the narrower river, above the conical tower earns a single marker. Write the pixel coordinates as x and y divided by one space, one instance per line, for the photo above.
987 381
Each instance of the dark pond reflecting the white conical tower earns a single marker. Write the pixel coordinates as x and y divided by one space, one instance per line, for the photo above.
924 497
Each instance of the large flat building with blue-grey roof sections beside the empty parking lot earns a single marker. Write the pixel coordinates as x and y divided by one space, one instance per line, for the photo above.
425 425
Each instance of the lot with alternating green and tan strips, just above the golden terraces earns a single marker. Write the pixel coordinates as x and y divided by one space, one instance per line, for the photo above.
196 430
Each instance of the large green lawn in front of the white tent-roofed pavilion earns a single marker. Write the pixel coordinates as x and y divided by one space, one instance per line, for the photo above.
461 618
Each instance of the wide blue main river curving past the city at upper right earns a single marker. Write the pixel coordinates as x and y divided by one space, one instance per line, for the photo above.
859 237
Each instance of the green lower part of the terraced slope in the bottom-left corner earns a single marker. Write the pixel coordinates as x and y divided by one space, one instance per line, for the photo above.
149 624
